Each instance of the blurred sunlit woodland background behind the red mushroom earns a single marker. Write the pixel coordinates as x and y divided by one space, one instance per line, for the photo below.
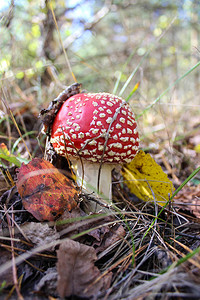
135 49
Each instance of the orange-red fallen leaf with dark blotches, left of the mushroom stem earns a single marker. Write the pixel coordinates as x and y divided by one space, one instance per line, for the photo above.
46 193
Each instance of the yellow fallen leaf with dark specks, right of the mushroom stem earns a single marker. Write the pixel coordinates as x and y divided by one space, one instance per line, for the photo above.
146 179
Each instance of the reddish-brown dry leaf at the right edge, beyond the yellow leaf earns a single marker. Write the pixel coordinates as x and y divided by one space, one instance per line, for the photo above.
189 198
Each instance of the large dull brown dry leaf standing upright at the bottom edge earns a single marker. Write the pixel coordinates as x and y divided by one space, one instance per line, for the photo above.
77 272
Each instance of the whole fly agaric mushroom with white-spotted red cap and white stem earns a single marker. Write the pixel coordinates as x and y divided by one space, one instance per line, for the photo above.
97 131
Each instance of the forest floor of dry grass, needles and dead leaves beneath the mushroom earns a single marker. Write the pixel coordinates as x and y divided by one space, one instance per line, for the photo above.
137 251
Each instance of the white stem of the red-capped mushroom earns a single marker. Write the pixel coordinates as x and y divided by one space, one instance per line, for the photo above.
88 180
